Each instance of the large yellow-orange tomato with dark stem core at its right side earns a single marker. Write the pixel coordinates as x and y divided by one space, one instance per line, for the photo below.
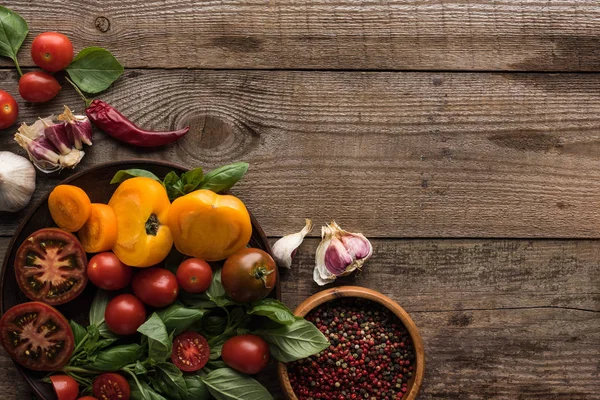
141 206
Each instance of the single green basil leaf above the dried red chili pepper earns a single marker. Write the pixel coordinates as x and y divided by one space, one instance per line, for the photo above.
94 69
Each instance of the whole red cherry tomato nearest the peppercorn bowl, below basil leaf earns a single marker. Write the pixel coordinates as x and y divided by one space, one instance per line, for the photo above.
246 353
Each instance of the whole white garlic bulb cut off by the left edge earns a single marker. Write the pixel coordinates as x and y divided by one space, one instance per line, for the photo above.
17 181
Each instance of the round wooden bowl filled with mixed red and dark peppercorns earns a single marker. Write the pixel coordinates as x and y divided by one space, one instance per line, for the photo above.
375 352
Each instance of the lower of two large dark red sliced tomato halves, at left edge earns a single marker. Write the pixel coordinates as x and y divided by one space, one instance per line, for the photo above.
37 336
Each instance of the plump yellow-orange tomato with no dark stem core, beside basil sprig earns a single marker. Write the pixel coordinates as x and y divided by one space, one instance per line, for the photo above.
209 226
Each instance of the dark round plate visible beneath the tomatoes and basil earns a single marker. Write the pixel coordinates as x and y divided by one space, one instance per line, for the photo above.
96 183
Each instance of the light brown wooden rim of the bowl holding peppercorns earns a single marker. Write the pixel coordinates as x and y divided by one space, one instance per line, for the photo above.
414 384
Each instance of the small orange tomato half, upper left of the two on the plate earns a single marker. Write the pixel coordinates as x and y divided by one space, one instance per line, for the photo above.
69 207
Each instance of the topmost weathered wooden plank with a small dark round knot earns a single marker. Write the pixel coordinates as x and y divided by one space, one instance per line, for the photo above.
346 34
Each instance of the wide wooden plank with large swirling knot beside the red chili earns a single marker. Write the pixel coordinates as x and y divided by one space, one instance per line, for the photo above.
389 154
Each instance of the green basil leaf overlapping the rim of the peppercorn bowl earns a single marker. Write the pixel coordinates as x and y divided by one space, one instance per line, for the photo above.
293 342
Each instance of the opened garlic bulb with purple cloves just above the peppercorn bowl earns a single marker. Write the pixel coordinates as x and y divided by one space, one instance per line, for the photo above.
339 253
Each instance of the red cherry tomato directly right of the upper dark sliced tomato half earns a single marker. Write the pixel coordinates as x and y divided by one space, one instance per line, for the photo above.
106 271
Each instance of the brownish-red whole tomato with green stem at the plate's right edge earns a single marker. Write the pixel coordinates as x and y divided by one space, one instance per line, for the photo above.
249 275
